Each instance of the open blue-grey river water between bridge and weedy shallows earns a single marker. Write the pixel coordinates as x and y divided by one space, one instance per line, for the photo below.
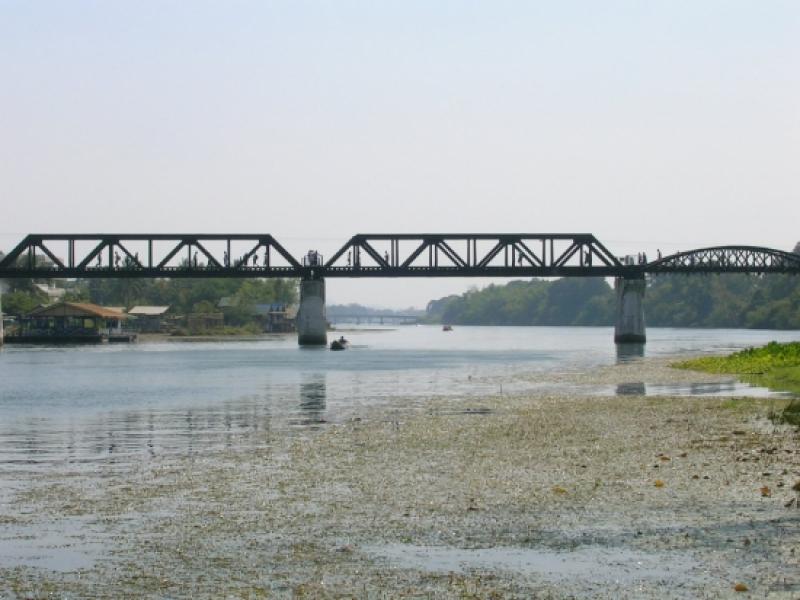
79 405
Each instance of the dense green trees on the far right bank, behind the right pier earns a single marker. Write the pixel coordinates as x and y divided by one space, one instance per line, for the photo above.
730 300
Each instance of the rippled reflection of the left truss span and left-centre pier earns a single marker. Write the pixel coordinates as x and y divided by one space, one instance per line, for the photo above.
37 443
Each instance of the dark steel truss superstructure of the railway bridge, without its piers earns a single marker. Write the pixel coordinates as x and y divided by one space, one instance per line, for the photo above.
365 255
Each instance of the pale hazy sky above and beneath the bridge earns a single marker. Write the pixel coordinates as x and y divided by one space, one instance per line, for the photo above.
659 124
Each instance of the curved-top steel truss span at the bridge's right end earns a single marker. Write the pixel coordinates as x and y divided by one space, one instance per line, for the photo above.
728 259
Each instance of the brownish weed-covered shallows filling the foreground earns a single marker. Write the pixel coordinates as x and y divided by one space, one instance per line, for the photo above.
551 495
